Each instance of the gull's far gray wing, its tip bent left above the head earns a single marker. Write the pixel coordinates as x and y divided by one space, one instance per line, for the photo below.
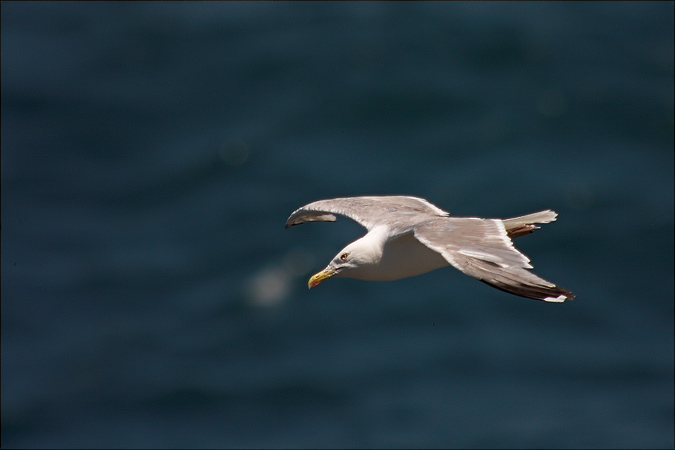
399 213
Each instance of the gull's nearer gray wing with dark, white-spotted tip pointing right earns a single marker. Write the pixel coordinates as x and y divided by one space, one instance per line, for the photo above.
482 249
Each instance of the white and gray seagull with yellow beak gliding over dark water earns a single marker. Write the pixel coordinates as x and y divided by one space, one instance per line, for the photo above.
409 236
